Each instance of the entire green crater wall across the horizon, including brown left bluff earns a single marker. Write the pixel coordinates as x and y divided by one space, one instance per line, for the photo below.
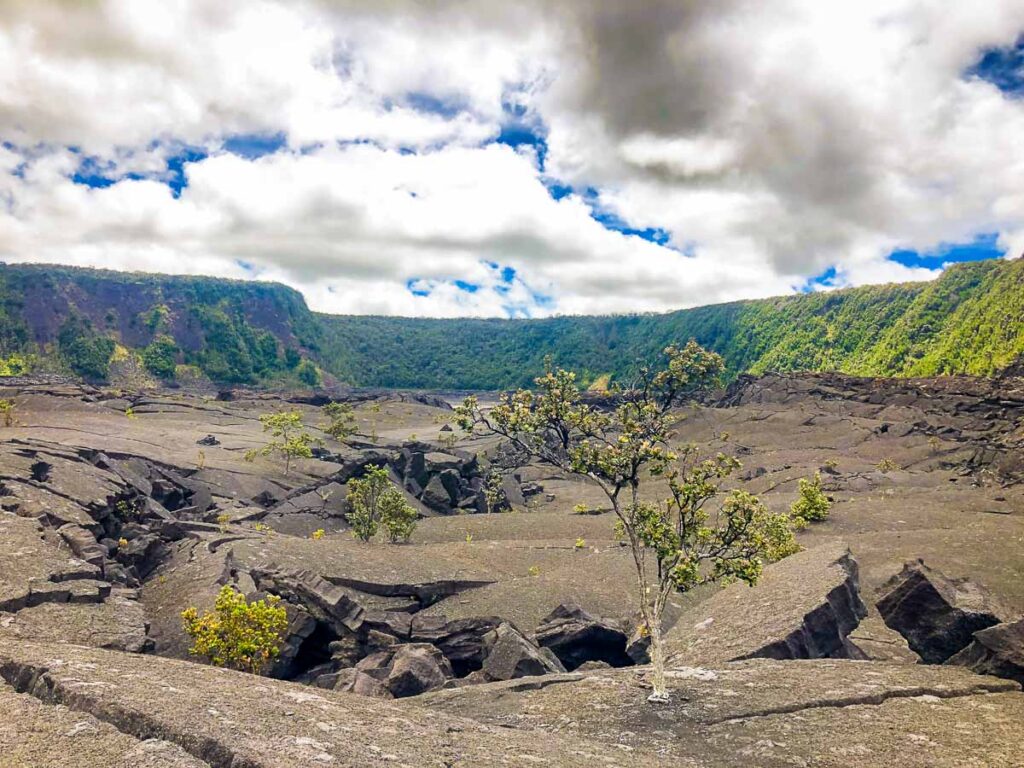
971 321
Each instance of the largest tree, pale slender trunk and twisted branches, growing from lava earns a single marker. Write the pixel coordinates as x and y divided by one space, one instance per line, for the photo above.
618 450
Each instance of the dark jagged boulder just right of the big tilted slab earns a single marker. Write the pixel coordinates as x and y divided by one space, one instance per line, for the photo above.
937 616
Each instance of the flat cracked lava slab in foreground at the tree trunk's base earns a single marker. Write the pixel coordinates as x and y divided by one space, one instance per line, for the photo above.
766 713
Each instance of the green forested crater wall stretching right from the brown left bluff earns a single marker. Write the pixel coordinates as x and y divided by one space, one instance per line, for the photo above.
971 320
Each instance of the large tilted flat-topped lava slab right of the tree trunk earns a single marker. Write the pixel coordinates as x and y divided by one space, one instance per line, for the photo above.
803 608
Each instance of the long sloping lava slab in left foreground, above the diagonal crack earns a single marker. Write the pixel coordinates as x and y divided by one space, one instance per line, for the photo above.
226 718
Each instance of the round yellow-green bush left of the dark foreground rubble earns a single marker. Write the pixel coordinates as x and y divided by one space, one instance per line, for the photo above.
238 634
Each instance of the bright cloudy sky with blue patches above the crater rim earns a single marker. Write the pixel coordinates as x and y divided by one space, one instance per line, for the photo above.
528 159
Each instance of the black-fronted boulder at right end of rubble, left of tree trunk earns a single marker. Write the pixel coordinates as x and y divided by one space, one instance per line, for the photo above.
576 637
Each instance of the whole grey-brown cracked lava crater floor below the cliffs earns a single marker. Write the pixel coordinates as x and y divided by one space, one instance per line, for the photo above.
119 510
